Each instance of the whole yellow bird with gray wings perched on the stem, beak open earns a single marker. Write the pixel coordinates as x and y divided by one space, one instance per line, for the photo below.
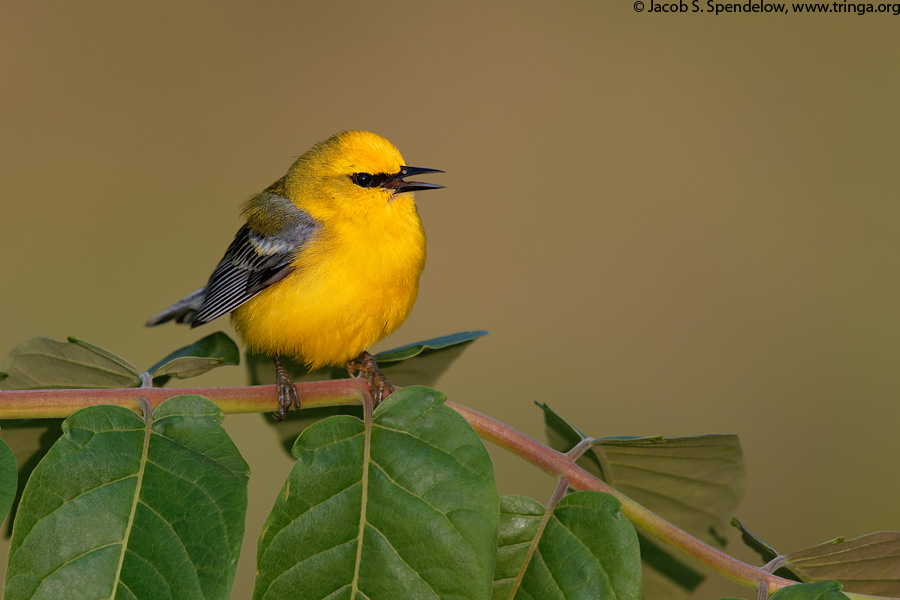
327 264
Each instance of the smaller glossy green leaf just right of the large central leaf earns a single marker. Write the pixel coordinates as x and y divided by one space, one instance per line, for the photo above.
587 550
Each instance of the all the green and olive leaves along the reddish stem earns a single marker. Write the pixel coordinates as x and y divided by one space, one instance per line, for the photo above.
403 507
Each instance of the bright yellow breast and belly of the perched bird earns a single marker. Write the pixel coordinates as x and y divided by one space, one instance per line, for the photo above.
348 290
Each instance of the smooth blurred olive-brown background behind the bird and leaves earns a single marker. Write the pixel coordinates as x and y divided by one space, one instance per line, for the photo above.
671 224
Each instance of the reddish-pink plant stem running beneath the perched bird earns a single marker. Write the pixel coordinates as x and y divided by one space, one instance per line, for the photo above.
35 404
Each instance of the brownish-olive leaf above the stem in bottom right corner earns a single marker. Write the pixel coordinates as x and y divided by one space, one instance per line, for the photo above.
869 564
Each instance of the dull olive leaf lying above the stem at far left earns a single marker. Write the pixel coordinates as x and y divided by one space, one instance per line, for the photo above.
42 363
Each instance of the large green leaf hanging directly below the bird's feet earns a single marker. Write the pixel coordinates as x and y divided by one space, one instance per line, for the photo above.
407 511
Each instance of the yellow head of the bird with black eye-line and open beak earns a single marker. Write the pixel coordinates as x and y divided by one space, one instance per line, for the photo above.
353 172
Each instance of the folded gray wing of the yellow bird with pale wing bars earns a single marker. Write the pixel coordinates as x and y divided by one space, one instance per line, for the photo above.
255 261
